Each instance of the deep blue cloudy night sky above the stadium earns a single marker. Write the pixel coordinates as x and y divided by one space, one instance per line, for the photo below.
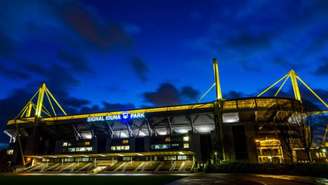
109 55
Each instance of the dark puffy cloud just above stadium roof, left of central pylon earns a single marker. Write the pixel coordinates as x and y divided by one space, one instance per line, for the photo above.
168 94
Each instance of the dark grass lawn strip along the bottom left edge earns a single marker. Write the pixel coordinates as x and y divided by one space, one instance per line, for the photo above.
88 180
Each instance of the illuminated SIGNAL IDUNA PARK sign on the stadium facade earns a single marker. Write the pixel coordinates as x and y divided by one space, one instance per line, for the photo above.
117 117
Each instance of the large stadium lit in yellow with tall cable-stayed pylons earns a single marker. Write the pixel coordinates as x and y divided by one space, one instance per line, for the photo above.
180 138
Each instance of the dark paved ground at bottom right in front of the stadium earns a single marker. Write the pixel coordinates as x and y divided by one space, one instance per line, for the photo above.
244 179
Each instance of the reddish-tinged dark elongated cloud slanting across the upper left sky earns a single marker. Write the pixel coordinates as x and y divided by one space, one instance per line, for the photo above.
101 33
